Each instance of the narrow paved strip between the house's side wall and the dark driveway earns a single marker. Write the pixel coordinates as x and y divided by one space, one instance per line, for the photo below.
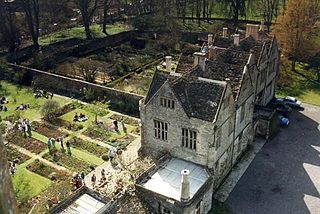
237 171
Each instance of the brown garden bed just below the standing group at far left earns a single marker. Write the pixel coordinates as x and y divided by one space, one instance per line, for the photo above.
33 145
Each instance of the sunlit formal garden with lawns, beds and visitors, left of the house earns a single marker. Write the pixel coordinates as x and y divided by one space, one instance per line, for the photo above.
41 172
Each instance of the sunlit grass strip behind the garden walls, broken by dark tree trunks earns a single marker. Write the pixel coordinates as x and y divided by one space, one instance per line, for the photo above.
79 33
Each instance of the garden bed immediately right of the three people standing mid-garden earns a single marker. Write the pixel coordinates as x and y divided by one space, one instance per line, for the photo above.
88 146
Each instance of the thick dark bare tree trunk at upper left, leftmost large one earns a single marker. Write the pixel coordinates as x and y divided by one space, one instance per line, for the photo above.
31 10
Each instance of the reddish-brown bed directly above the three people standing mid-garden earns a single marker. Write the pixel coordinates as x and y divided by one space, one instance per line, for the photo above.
47 129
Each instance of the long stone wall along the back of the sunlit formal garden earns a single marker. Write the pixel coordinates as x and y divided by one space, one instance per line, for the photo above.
121 101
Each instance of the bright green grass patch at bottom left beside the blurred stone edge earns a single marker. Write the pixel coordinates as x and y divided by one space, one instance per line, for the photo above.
28 184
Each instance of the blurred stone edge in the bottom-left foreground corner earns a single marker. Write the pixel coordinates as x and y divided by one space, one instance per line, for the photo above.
8 203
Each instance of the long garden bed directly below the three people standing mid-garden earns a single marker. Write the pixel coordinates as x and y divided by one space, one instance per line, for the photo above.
70 162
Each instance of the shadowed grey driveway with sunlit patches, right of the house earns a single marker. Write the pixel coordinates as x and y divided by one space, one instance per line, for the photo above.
284 177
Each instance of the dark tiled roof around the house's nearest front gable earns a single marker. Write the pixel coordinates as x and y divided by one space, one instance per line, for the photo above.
199 97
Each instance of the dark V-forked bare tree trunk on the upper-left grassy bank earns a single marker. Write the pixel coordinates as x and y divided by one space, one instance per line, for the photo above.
87 9
